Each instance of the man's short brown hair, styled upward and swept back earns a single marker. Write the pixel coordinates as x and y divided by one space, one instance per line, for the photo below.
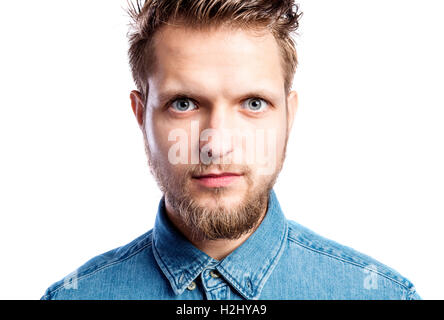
280 17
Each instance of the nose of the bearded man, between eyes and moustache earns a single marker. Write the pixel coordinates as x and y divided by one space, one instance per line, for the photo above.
216 136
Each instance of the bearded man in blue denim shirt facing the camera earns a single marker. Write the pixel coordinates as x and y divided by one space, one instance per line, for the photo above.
215 108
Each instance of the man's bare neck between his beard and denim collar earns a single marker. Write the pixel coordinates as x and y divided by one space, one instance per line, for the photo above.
216 249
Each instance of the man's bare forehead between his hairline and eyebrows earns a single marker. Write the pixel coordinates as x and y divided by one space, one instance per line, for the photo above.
219 61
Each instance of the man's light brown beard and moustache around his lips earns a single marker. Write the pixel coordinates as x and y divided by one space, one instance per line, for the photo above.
221 221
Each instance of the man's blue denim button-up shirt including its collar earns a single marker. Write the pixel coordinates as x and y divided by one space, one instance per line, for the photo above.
281 260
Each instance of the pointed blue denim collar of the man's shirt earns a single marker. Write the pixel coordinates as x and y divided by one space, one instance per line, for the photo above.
247 268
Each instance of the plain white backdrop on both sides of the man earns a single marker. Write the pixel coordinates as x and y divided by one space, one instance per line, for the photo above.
364 164
